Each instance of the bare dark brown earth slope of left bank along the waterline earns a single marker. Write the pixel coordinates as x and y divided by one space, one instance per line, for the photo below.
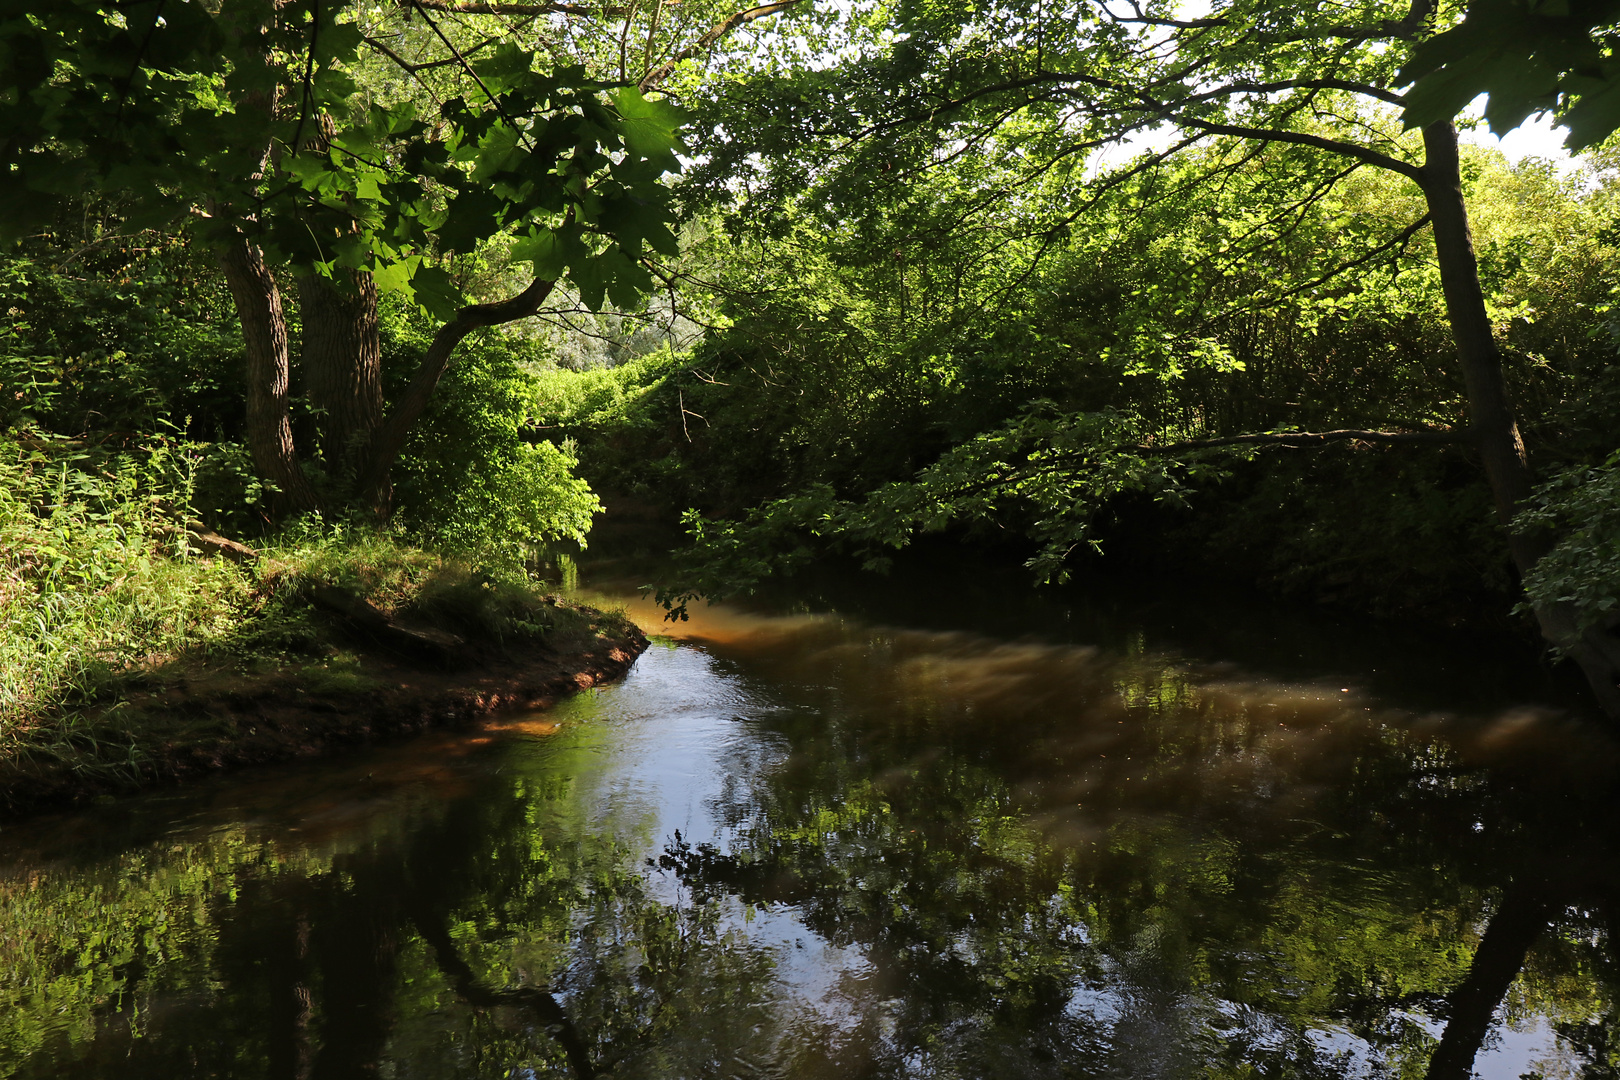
207 720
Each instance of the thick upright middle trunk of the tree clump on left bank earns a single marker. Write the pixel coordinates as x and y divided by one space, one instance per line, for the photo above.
343 365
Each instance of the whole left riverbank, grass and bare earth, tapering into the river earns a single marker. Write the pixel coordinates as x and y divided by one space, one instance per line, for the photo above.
137 653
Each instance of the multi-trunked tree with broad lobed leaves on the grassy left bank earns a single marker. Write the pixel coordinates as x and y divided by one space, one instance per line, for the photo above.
245 122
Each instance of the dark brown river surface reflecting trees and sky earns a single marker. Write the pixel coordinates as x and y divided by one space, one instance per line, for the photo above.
924 827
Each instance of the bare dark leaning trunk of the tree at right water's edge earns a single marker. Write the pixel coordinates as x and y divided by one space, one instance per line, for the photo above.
1491 414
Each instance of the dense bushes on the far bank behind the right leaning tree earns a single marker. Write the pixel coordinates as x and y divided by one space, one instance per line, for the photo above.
845 372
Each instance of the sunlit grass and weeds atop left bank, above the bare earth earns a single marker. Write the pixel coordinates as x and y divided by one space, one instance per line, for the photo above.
100 593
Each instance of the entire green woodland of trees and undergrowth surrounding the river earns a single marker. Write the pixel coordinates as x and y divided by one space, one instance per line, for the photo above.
396 291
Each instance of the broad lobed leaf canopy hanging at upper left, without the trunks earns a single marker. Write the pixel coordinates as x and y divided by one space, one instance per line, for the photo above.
176 111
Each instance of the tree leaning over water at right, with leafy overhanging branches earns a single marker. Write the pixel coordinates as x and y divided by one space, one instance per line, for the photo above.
1044 87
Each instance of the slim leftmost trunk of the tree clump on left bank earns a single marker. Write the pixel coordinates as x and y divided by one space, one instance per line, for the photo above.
265 334
